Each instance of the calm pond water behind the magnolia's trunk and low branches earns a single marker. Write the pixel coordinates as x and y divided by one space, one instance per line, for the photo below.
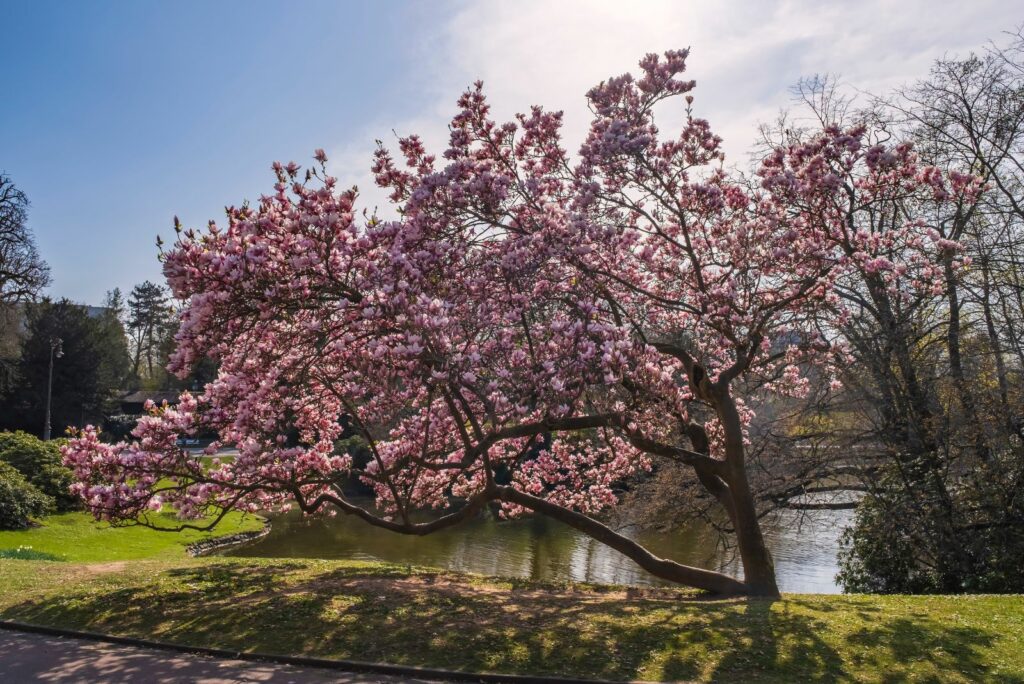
543 549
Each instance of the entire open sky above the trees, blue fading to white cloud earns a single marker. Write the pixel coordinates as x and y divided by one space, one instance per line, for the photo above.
116 116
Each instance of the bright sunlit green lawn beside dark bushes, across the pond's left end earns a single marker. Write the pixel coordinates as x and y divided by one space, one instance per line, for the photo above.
77 537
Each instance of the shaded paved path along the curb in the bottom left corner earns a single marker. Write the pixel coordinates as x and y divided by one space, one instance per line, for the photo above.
36 658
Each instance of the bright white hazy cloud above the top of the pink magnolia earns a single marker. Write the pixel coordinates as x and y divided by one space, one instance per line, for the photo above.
745 56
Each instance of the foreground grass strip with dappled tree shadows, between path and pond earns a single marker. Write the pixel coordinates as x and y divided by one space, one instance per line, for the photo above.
374 612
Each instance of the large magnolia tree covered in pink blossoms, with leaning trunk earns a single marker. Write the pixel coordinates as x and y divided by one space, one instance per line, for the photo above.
534 329
